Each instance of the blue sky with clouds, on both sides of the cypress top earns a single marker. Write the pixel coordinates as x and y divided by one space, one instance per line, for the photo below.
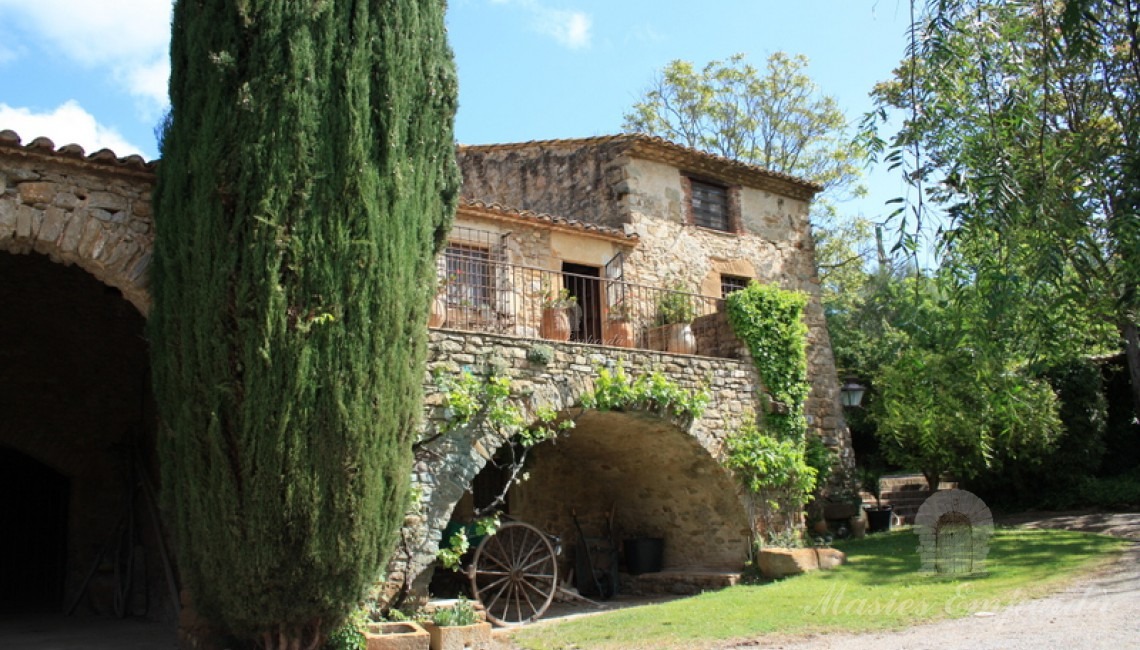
94 72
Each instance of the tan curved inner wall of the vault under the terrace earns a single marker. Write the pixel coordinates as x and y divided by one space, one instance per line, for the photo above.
638 476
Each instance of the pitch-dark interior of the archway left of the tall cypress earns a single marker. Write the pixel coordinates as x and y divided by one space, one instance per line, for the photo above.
78 412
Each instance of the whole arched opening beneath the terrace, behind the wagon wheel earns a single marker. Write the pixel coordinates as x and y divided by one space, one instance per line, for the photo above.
621 480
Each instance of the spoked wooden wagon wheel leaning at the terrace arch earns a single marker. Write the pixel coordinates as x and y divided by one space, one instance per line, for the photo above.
515 574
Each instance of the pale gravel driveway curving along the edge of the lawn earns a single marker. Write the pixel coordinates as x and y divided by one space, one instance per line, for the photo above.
1102 611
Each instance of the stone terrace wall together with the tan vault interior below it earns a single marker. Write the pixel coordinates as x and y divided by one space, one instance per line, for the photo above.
669 497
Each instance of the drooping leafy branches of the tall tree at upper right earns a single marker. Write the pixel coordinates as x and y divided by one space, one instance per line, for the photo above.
1021 136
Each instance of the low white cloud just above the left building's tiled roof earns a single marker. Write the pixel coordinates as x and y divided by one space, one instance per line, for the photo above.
68 125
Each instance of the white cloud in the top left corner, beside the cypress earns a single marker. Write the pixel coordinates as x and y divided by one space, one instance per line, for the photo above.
128 38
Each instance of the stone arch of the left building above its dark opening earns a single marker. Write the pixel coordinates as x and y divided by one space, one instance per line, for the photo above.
89 212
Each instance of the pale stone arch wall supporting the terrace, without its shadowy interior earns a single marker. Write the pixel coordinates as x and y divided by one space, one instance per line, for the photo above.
446 466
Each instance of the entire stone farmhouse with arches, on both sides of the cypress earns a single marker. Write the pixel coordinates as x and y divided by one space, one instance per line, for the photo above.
623 224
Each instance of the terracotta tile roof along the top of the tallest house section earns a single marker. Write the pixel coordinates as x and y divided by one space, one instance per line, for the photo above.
687 159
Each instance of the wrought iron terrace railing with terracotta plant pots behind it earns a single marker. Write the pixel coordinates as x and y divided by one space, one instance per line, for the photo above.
481 295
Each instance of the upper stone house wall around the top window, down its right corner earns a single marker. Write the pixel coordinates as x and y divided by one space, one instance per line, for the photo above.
600 181
